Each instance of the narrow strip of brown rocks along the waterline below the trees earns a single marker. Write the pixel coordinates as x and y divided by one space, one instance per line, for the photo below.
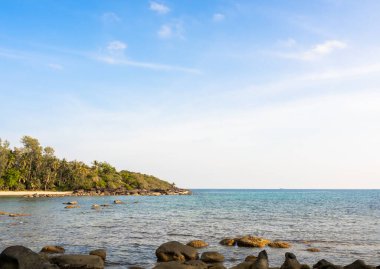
114 192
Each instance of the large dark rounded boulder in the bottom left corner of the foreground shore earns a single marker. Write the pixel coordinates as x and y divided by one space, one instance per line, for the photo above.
19 257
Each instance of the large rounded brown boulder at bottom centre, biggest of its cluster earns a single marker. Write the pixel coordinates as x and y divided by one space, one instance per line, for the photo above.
175 251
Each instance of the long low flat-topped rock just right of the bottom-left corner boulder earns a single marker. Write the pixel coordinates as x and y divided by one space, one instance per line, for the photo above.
78 261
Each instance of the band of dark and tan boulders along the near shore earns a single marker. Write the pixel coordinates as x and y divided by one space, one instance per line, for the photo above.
170 255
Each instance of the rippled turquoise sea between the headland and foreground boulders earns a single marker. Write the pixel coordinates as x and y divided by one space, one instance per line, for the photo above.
344 224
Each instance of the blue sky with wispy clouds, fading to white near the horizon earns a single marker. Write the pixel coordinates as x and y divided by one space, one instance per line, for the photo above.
206 94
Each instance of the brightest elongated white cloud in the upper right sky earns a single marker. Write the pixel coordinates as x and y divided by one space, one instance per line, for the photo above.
317 51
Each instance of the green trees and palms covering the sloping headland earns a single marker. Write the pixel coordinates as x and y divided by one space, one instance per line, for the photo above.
34 167
